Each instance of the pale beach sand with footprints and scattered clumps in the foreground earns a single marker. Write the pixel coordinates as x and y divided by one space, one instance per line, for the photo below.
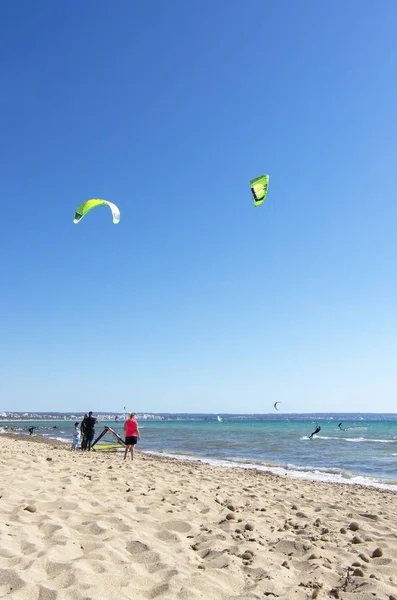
80 526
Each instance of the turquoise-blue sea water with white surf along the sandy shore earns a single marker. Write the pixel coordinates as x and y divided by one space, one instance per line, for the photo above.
364 451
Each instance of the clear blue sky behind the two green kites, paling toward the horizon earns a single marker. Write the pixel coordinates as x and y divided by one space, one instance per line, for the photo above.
198 301
